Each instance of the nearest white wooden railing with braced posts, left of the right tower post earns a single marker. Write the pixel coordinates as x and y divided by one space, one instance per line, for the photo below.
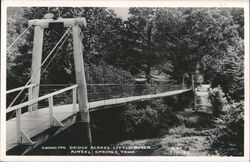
53 120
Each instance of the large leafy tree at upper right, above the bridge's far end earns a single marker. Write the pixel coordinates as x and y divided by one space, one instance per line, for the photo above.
194 36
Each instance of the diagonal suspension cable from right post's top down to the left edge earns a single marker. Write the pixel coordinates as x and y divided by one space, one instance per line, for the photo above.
40 67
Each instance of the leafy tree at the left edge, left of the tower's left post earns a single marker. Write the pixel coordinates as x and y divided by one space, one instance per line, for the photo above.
16 25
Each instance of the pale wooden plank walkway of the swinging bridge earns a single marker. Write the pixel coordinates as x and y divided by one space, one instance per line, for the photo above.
36 122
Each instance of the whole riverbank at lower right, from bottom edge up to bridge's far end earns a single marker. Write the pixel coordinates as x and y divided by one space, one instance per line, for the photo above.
191 138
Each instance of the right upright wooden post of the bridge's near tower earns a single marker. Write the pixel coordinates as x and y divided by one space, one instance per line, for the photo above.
82 86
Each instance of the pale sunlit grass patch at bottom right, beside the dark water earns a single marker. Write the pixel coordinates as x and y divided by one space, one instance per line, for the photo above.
180 141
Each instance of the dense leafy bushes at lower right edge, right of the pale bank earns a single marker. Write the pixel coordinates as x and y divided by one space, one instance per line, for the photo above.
228 136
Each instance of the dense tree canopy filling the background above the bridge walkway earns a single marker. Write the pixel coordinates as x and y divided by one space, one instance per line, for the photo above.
170 40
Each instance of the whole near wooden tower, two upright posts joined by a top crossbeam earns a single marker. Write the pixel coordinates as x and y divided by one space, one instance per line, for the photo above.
75 23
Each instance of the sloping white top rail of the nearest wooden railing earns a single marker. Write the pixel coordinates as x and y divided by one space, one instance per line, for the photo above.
39 99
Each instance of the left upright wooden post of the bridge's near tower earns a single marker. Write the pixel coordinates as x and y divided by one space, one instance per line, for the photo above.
36 62
